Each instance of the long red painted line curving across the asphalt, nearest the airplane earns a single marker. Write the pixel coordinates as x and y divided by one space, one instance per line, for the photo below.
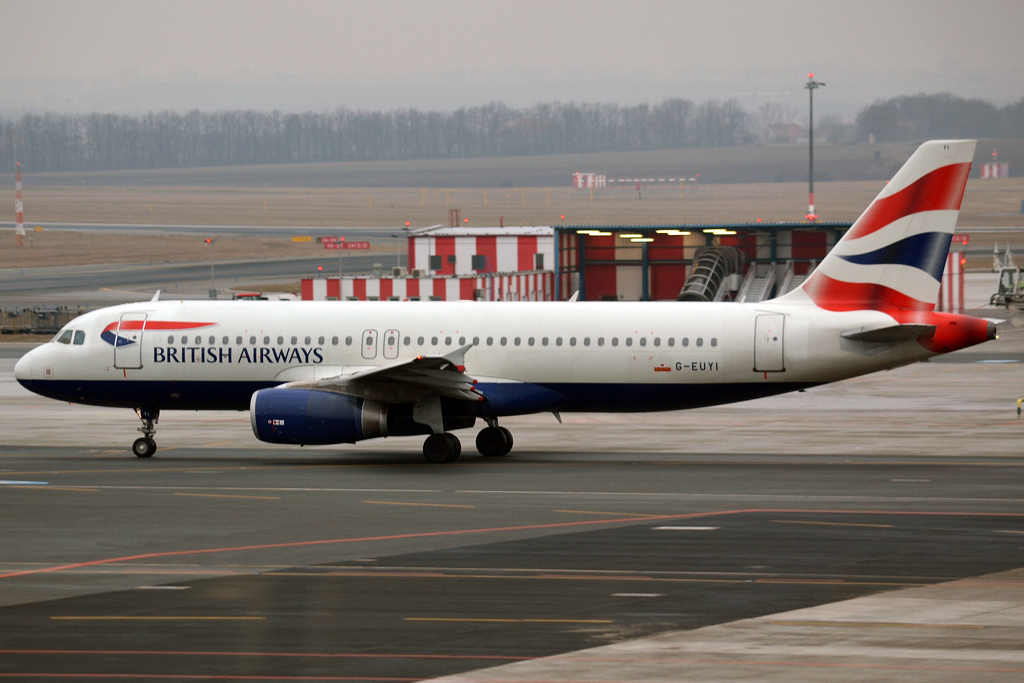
497 530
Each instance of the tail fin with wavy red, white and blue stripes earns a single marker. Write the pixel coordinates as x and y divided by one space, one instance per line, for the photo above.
894 255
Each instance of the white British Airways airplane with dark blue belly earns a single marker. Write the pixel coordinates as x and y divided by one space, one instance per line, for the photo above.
319 373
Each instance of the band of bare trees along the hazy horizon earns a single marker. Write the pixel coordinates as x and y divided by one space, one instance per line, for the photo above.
168 140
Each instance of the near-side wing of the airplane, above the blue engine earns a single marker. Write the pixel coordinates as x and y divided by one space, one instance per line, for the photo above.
406 381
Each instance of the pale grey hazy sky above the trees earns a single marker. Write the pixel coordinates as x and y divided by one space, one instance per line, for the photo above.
139 56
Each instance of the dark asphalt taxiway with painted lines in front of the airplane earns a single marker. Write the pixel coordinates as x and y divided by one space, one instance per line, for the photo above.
224 563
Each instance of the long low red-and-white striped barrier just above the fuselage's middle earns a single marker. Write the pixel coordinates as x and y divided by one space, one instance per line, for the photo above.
537 286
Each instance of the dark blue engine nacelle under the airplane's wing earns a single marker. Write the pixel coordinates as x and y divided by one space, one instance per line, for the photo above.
315 418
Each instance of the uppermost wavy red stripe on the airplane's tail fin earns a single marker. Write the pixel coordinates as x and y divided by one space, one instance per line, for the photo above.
940 191
